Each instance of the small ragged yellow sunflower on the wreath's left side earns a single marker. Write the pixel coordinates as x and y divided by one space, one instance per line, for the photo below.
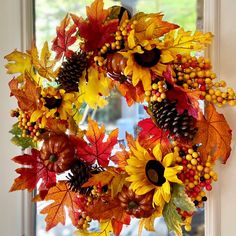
54 103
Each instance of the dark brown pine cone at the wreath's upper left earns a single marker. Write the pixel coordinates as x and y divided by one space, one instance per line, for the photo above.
71 71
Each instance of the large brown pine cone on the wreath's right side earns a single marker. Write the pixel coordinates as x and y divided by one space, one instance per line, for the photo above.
167 118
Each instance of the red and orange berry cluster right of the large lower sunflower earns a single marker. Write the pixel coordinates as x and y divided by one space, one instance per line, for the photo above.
197 175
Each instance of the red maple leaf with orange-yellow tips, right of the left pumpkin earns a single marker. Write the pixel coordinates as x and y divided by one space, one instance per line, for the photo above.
97 149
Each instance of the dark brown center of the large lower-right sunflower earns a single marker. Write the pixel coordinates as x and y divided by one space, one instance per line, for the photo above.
155 172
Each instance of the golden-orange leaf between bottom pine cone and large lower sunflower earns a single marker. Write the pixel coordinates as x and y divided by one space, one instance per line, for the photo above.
112 176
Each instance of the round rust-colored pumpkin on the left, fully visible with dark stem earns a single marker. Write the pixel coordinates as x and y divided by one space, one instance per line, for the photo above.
57 153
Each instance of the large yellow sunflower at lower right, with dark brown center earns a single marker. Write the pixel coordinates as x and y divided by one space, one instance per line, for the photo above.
152 172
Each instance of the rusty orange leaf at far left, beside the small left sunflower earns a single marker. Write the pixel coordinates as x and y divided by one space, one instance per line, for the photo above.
27 95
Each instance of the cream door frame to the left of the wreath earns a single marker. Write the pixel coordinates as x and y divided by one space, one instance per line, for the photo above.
16 32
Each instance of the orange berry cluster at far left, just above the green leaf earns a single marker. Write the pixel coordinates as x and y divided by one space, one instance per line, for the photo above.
29 129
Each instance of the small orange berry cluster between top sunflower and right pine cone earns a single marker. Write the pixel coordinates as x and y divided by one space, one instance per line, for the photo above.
157 93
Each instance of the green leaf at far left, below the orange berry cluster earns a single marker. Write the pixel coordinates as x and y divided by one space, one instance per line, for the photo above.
18 140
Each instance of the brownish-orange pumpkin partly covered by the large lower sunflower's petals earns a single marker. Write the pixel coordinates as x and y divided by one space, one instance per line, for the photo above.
139 206
